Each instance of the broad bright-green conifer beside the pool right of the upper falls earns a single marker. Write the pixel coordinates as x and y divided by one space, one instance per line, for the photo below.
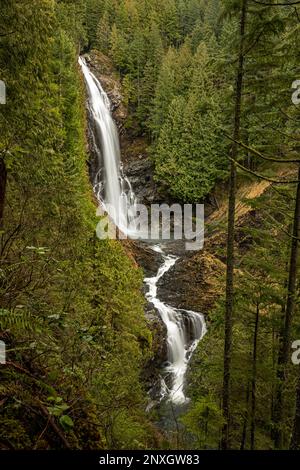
188 153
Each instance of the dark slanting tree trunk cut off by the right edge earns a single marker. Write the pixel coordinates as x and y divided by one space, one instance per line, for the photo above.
284 350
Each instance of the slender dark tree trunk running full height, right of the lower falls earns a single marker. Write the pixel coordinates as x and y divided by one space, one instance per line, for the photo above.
229 304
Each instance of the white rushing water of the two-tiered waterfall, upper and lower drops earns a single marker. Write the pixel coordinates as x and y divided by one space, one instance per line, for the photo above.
184 328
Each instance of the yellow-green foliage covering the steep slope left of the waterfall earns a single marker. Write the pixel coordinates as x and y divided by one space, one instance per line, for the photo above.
75 321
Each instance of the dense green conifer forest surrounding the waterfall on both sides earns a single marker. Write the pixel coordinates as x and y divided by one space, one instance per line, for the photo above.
208 88
